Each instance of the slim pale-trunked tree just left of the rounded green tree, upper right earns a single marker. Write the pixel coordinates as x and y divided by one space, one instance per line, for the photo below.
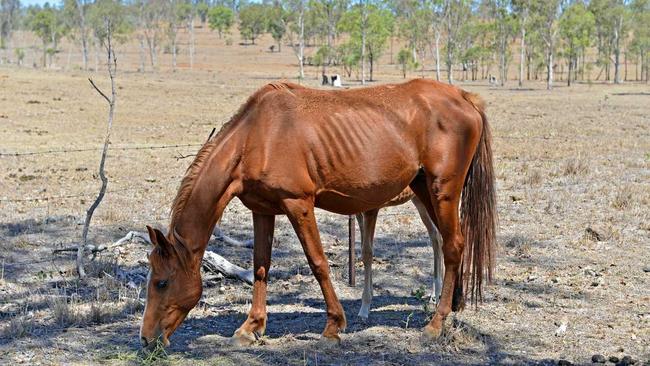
546 15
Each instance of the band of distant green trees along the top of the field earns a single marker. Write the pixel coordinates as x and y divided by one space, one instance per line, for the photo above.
460 38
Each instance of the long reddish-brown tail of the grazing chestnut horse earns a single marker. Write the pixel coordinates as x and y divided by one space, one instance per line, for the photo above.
478 214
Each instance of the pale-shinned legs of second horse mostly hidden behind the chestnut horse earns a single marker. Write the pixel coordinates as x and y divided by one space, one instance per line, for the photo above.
367 221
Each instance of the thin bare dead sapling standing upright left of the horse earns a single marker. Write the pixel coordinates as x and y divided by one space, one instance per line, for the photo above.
112 66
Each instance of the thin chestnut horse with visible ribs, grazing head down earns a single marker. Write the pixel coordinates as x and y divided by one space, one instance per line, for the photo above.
290 149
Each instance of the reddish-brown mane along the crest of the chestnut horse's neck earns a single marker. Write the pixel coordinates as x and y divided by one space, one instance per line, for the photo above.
194 170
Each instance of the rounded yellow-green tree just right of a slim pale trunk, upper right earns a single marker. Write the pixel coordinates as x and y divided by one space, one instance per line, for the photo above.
577 25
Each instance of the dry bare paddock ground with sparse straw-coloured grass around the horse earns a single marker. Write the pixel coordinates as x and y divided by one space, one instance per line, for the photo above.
573 169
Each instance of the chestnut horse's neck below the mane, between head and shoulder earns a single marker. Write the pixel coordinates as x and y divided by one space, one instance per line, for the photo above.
211 192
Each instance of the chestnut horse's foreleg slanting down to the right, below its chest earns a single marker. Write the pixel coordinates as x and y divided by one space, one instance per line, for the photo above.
301 215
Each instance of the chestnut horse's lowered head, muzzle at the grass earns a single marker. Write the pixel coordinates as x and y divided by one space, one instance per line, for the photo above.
173 288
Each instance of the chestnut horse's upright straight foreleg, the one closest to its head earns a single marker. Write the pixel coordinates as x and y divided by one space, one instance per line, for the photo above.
255 324
